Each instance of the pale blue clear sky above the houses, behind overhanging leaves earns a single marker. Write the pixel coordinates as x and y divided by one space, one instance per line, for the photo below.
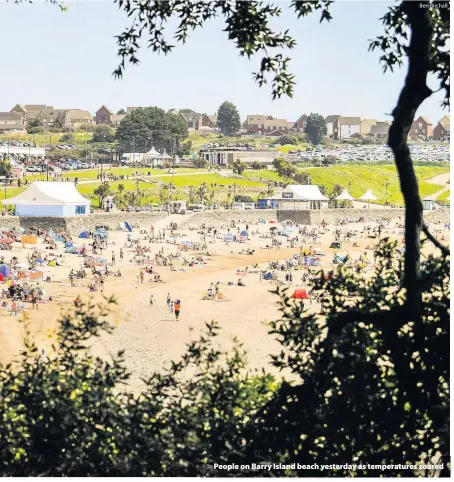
66 60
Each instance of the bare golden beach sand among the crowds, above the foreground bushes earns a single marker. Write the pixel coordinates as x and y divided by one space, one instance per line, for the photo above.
150 335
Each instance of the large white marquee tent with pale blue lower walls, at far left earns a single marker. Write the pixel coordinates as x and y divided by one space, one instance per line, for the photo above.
55 199
